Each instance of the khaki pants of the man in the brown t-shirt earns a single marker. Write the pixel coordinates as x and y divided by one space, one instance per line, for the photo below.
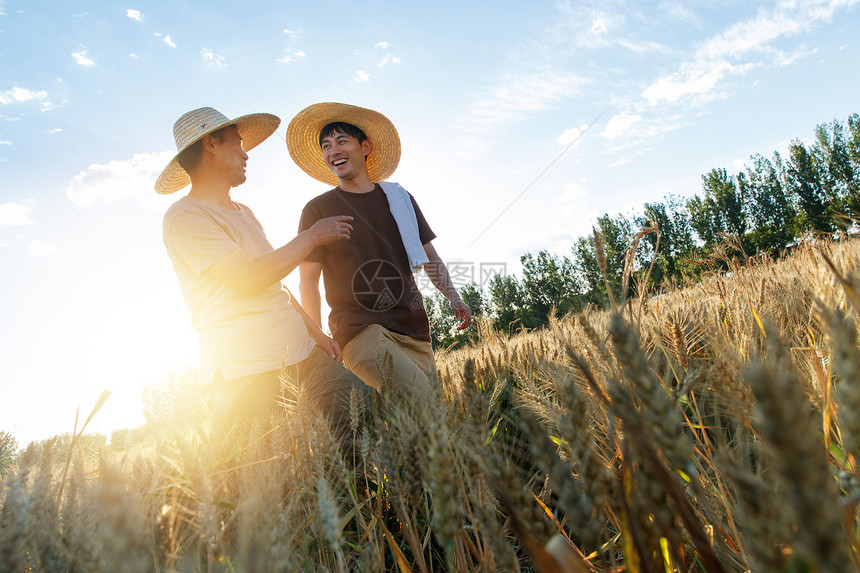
412 361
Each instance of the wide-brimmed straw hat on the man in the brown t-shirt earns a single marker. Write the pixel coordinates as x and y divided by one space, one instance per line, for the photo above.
304 131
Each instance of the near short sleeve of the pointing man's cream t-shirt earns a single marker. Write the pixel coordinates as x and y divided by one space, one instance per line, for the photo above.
197 239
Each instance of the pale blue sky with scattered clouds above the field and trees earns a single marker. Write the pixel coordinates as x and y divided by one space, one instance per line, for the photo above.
485 96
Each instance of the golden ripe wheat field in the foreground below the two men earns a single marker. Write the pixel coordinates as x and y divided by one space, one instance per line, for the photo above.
710 428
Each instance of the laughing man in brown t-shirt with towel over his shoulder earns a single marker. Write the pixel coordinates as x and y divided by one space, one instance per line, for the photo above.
376 307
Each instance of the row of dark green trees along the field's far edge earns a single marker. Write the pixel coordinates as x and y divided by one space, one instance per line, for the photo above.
765 209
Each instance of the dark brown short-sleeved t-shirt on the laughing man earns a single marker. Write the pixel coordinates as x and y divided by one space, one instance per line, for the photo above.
368 279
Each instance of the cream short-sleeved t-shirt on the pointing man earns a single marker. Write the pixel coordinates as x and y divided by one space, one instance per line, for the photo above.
240 334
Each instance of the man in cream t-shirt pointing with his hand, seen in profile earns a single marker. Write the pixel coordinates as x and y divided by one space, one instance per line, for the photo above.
250 328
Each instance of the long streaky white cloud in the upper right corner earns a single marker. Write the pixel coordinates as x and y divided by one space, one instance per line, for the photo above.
741 47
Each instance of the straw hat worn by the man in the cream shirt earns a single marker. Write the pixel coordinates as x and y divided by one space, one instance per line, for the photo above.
192 126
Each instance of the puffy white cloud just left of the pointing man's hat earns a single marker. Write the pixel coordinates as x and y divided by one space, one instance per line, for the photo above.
119 181
